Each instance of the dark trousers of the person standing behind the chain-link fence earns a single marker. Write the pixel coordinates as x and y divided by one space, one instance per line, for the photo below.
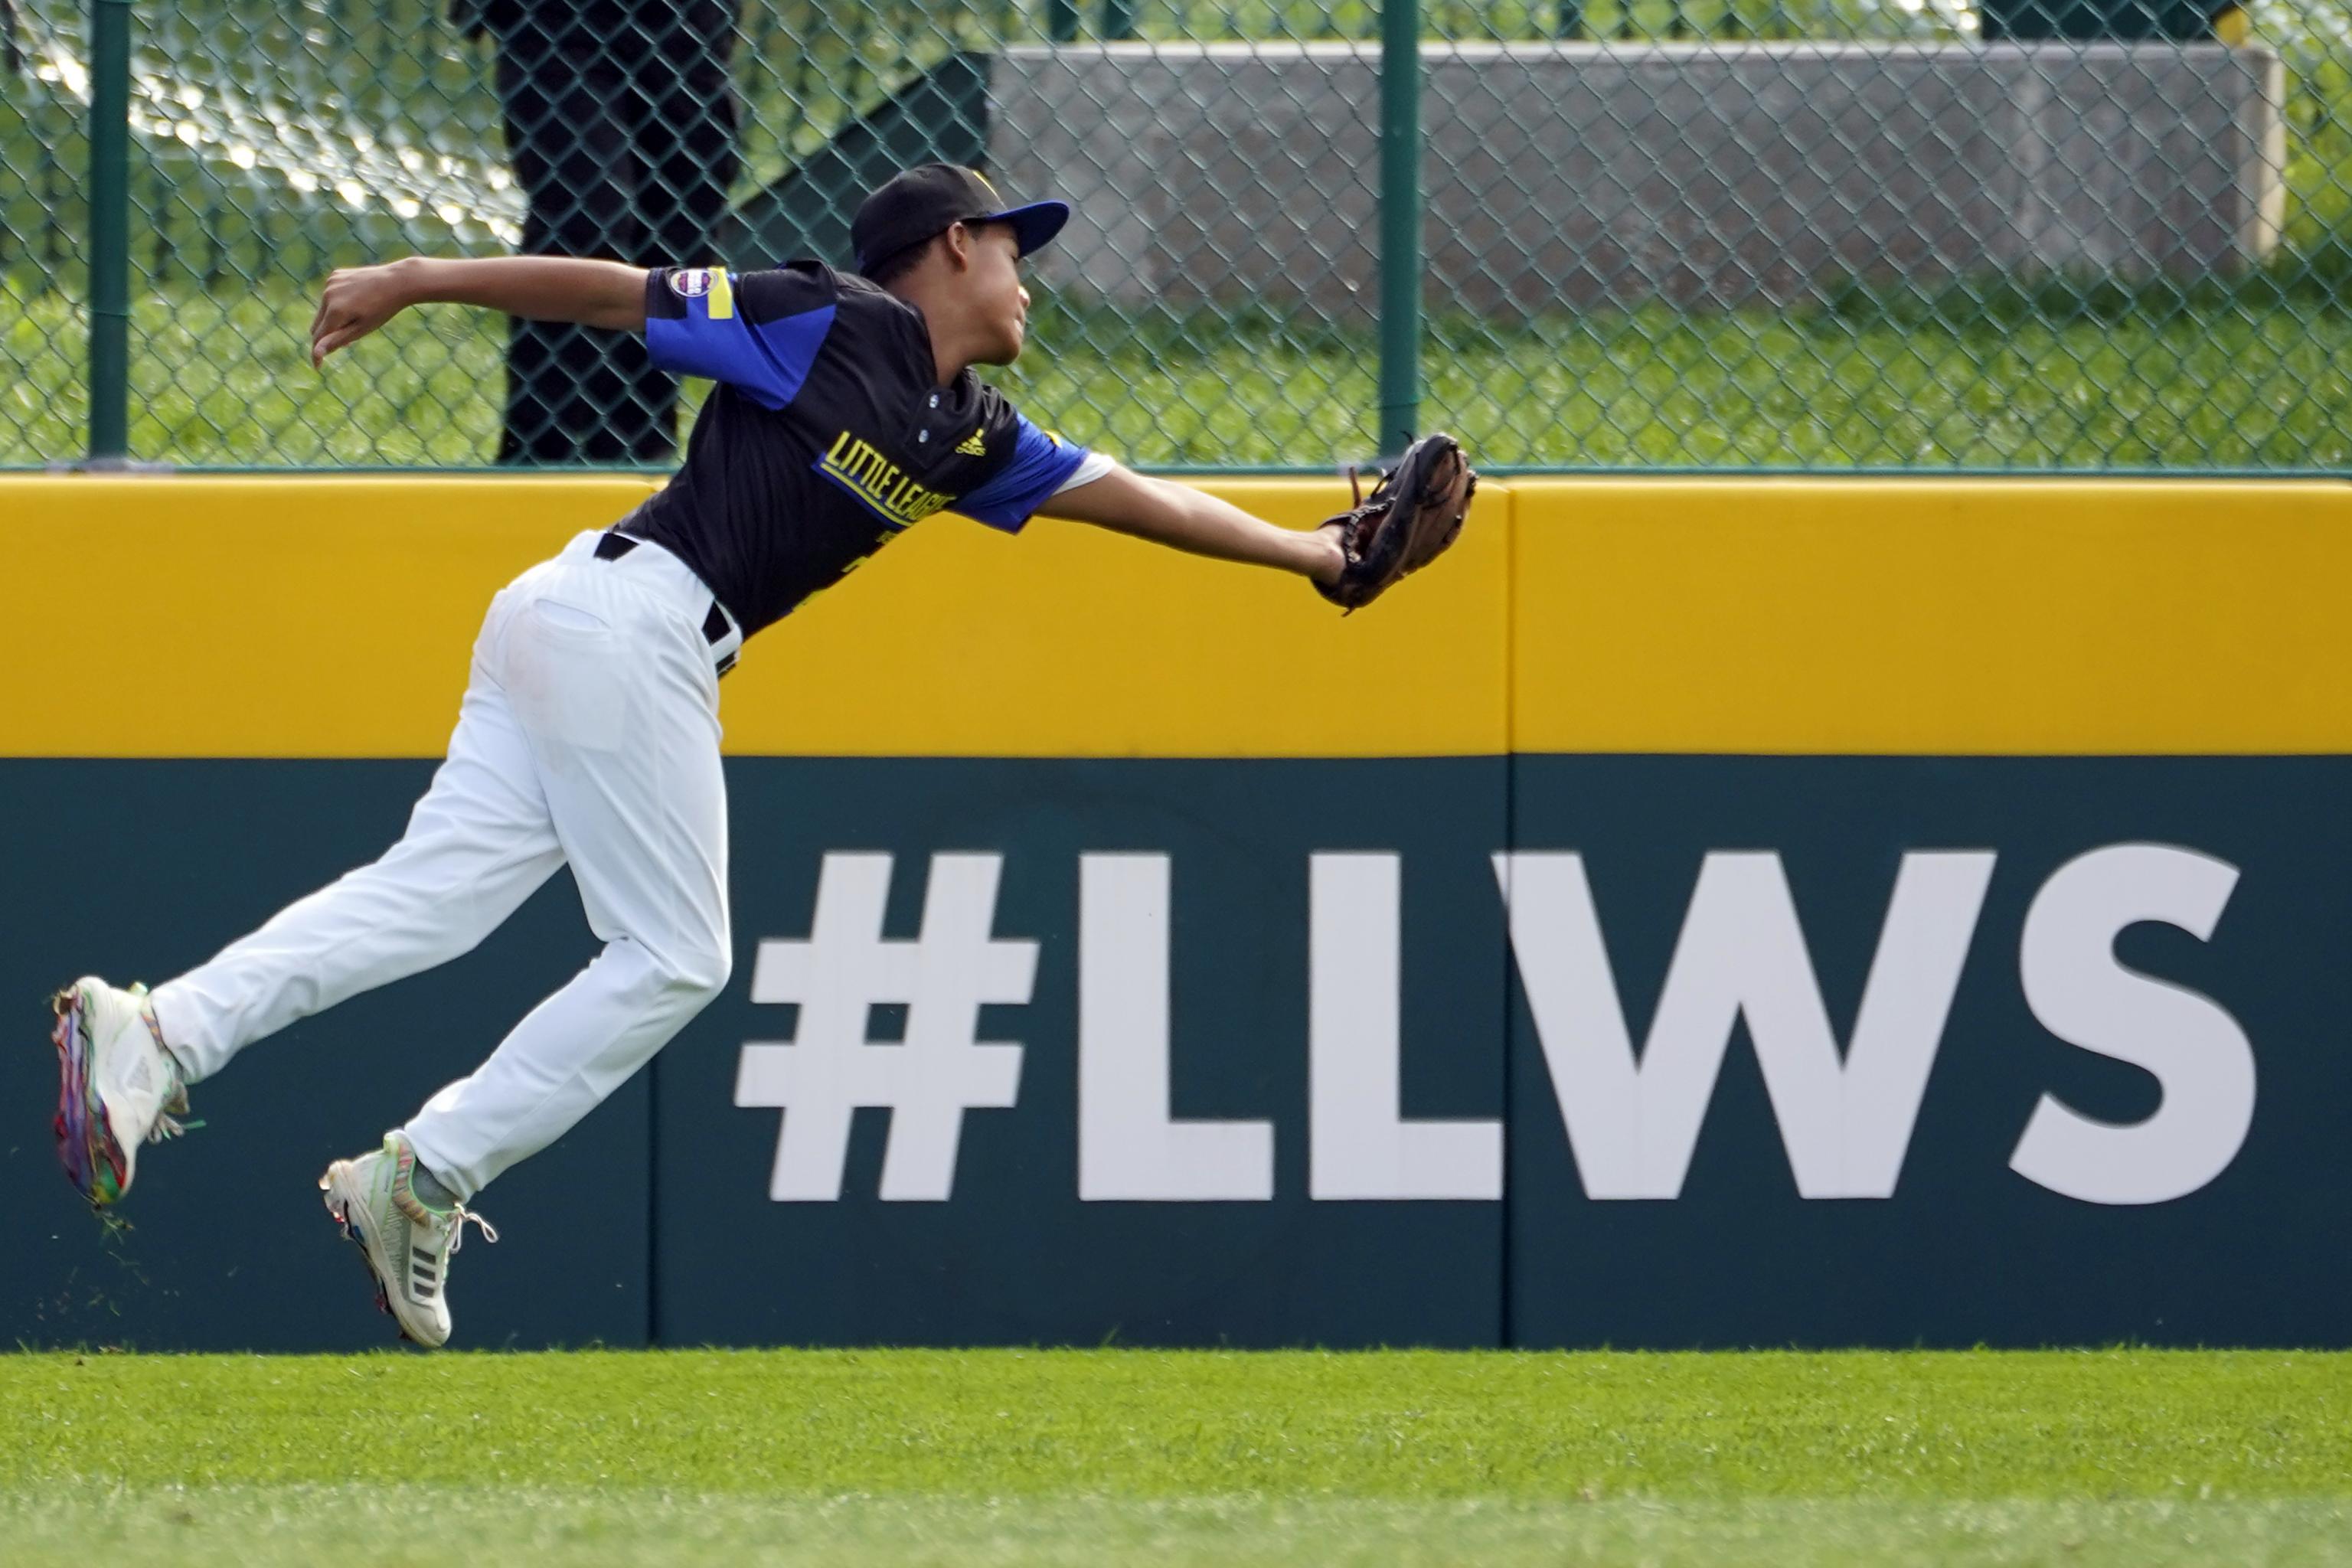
624 142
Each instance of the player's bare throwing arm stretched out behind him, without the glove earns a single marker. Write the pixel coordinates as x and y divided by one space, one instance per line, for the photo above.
540 288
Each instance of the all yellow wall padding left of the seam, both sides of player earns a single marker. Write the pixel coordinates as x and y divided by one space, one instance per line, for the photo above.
333 617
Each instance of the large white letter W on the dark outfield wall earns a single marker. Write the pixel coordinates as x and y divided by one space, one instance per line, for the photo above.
1845 1123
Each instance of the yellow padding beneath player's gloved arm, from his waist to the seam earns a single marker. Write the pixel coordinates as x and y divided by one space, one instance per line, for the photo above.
1078 643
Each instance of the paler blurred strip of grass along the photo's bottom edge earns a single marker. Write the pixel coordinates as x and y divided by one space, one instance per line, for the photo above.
354 1525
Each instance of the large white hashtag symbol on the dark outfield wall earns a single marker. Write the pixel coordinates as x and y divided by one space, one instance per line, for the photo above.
928 1083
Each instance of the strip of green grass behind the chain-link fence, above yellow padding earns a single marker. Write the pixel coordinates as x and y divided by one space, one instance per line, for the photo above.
2250 377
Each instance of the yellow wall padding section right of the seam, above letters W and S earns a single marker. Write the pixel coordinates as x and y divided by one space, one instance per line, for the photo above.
1932 617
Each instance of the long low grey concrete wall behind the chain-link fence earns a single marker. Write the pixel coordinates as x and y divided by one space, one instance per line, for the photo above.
1591 175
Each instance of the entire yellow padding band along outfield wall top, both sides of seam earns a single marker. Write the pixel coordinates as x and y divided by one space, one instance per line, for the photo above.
333 617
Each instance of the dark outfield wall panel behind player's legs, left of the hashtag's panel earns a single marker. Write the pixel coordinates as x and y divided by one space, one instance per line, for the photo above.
145 869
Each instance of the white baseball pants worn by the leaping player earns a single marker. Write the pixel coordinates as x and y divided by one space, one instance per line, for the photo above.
589 737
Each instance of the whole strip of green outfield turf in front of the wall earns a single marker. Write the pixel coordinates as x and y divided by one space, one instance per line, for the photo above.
1180 1459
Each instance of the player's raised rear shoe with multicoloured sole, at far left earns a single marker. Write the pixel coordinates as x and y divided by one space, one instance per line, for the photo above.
116 1090
